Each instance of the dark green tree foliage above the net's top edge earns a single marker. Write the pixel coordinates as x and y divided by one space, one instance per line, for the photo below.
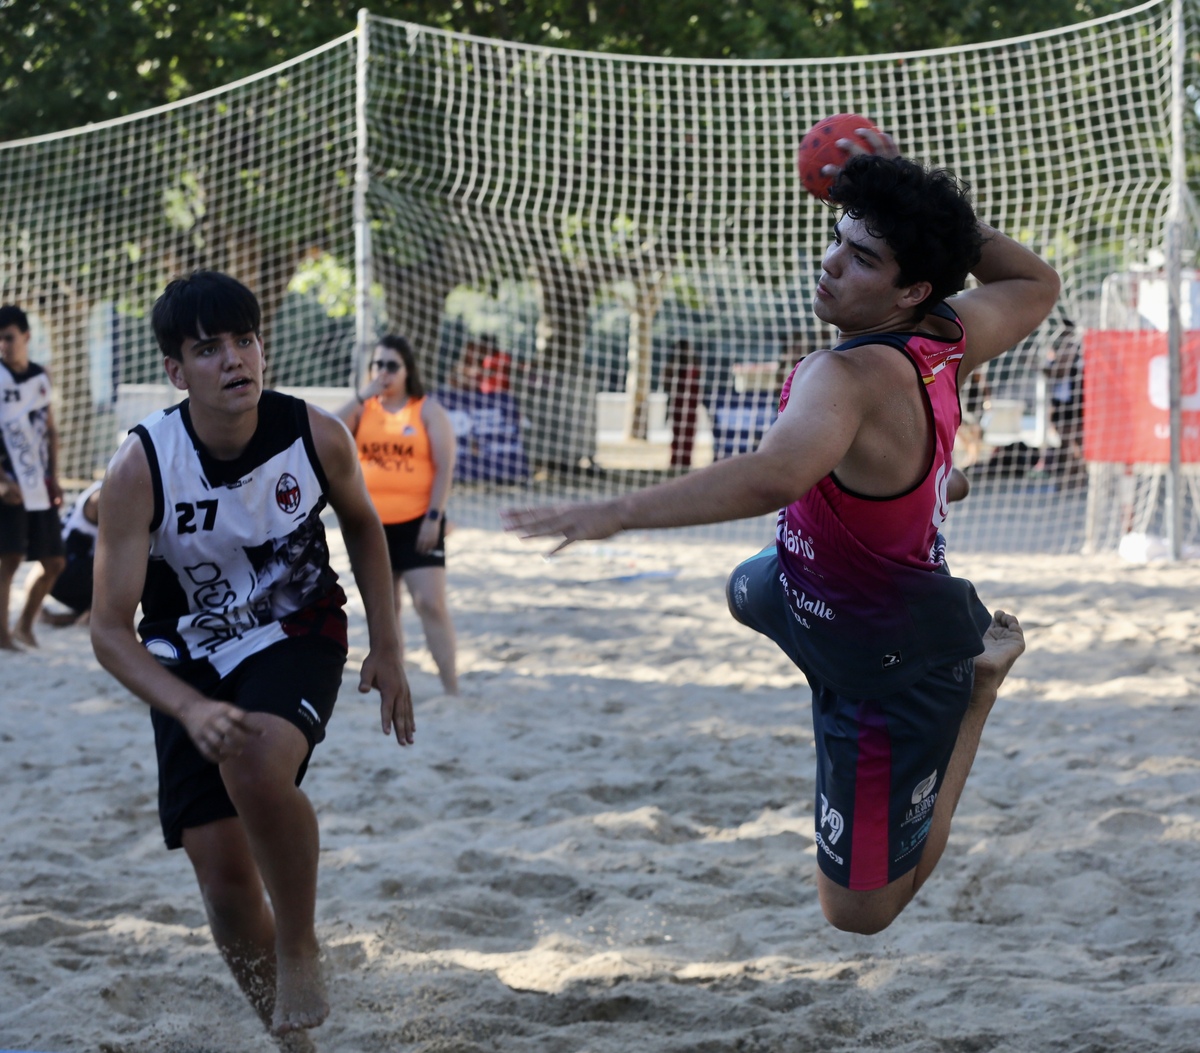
68 63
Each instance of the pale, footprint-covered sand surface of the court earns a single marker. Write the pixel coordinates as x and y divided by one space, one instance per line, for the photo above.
605 845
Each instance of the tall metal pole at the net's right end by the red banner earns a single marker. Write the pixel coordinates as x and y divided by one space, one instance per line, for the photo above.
1177 219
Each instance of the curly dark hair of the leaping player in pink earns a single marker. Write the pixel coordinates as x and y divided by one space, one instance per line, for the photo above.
925 215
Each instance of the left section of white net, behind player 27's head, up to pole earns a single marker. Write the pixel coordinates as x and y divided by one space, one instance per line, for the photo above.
255 180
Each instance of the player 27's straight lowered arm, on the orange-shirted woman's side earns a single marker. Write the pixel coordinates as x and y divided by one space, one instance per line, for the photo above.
368 550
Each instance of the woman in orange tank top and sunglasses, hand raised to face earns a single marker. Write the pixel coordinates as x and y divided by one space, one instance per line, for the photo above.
407 450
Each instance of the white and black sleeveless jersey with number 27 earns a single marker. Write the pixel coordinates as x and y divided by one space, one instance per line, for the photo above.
238 552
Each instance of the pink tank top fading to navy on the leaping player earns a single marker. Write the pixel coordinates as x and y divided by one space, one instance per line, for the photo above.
867 576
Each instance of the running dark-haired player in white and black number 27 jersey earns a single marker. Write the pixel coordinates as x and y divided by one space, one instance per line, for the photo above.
211 520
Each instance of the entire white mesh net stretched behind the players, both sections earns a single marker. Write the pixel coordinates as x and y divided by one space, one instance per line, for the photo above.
548 227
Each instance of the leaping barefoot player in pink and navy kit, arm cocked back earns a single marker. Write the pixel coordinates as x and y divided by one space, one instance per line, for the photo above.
903 659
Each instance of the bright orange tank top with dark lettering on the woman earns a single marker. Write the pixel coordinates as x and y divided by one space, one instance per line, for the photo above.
394 450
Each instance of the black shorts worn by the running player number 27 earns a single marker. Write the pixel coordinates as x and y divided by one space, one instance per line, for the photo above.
296 679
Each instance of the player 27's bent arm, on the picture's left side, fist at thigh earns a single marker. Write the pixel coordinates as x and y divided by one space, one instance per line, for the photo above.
127 506
